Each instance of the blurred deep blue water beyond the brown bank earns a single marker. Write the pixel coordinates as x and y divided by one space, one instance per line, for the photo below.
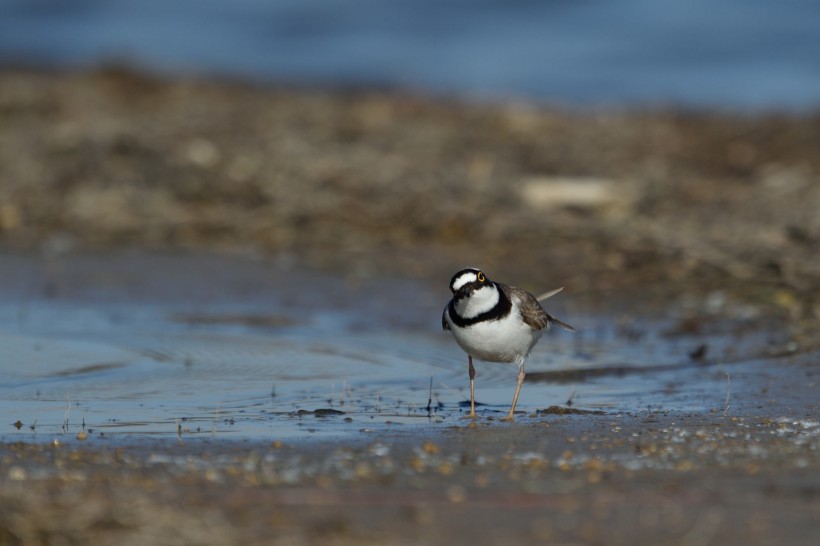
736 54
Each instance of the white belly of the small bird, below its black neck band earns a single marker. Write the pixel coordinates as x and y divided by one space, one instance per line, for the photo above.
506 340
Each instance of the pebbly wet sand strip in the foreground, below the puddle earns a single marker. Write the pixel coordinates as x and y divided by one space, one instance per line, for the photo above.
576 479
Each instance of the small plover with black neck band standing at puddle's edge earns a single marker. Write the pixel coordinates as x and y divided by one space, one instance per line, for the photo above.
495 323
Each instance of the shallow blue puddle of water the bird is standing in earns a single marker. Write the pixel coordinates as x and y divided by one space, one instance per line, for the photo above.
186 345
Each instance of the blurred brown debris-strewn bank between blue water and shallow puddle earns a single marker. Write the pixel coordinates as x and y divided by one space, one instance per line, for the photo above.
601 199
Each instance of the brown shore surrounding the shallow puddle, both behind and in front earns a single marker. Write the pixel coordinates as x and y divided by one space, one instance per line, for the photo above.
630 210
